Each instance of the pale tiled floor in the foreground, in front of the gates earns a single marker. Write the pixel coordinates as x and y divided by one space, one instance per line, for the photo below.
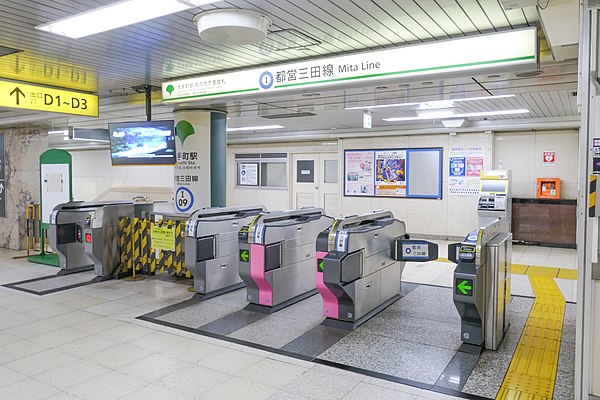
85 343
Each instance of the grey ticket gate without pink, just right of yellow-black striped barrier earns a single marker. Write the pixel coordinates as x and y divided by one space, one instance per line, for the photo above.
211 248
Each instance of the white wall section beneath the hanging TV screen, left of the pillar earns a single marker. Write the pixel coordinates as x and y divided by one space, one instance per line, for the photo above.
93 174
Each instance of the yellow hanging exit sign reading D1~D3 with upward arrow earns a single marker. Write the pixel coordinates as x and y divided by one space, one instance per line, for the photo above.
34 97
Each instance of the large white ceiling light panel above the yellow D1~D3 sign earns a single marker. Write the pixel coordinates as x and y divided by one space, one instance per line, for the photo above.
117 15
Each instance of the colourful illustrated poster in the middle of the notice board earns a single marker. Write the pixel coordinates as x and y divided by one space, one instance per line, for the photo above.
390 173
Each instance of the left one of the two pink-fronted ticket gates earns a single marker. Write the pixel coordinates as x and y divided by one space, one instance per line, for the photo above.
276 257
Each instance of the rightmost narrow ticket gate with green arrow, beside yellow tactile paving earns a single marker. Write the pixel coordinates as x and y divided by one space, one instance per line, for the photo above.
481 285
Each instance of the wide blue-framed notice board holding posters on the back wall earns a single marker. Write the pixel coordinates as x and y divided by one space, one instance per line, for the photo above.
410 173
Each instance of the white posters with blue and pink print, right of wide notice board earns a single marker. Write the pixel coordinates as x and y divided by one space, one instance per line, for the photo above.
465 166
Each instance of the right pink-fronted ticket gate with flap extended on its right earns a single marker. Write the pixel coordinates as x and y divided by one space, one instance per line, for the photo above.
359 266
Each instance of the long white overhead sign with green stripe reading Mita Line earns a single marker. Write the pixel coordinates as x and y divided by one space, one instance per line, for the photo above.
516 47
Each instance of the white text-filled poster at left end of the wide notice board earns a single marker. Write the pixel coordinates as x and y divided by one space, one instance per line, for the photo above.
359 173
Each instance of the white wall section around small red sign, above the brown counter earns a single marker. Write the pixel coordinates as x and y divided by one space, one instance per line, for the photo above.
522 153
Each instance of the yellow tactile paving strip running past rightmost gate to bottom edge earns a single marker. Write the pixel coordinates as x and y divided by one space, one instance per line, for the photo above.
532 371
